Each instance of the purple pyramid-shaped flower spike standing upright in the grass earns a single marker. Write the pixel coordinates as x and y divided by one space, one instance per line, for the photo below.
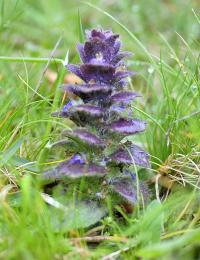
101 109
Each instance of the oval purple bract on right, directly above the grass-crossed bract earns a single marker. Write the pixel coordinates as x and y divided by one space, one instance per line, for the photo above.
127 127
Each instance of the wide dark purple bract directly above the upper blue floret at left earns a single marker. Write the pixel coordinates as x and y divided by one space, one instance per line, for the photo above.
89 91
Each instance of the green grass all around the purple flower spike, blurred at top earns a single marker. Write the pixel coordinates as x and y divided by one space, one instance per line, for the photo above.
165 39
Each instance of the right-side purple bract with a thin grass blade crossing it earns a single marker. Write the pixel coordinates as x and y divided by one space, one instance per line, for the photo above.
130 155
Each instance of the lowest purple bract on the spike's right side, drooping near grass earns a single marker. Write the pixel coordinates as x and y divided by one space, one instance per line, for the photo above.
124 188
